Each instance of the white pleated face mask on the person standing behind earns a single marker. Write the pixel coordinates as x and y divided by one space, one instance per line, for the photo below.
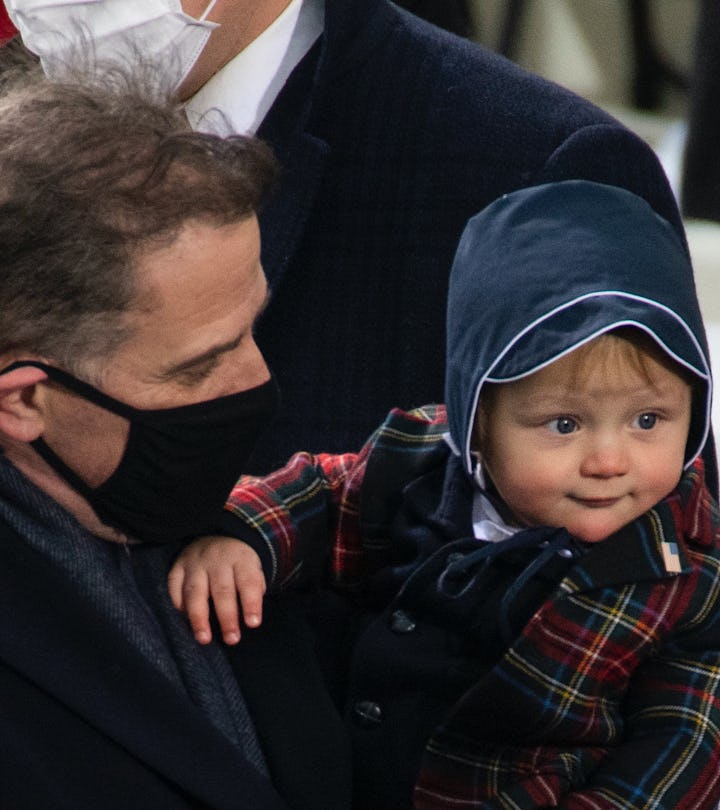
117 30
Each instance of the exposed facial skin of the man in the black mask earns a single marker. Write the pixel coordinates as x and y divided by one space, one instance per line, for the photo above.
192 340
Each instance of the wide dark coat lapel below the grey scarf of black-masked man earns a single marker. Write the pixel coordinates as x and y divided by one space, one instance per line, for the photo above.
58 641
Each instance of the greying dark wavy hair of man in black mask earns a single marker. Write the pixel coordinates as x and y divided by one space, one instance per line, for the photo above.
92 175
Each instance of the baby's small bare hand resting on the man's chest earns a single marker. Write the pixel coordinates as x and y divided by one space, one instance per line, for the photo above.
220 568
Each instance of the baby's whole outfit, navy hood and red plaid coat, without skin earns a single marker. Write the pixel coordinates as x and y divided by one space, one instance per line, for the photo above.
597 682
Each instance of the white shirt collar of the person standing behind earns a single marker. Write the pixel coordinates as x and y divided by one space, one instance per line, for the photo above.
238 97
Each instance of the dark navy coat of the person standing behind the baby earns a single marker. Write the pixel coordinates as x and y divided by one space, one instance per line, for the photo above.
392 133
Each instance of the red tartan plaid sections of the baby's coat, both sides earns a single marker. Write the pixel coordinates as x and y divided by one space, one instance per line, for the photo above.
610 697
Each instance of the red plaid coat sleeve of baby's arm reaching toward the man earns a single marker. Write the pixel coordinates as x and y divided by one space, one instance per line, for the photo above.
304 520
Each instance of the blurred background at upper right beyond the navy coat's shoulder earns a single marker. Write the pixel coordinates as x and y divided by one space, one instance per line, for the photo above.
653 64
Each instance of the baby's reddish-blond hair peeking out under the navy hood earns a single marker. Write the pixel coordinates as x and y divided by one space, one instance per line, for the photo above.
626 347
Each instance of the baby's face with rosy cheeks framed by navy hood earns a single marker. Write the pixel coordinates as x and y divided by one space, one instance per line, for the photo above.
590 457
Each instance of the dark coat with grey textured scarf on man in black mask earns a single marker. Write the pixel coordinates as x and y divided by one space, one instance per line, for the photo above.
108 703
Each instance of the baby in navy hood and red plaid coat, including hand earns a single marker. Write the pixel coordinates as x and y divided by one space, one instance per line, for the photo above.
535 569
